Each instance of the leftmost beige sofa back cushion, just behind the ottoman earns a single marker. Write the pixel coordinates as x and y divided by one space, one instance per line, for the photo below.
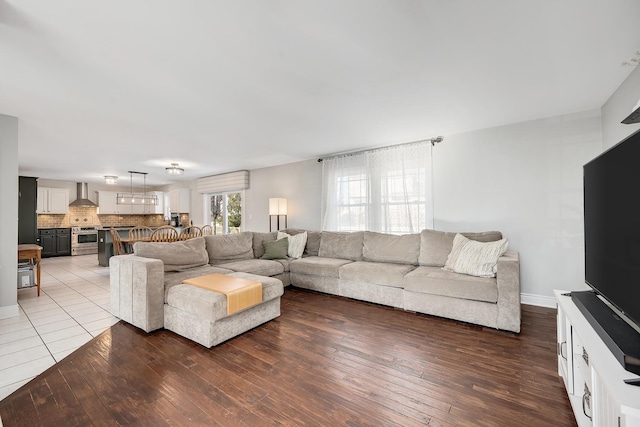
175 256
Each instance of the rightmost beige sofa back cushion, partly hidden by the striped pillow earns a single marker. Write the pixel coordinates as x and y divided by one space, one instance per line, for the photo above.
435 246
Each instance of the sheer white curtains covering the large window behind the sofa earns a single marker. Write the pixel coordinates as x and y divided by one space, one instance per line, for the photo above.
387 190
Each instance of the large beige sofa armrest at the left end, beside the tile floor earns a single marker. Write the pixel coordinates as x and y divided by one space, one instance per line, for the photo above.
137 291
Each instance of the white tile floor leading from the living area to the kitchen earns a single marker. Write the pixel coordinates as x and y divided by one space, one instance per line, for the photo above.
73 307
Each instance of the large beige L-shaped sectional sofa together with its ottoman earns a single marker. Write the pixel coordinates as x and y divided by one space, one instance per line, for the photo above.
399 271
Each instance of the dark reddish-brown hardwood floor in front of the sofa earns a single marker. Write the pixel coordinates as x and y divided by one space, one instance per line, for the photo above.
325 361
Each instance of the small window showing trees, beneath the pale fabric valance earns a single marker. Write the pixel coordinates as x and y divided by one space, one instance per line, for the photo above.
225 212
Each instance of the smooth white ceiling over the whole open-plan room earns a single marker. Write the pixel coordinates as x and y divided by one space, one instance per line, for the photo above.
105 87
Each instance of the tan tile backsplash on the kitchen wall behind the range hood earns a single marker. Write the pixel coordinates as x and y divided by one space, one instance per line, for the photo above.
85 216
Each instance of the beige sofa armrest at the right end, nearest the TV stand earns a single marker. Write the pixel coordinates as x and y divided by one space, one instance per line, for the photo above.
508 278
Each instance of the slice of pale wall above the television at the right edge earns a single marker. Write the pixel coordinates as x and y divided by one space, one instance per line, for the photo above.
617 108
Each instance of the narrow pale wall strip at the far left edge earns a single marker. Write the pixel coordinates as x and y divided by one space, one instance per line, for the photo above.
8 216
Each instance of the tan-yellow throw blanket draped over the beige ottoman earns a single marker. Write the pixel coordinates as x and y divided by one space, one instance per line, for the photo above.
241 293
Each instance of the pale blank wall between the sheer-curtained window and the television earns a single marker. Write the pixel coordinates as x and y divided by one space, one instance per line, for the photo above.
525 180
